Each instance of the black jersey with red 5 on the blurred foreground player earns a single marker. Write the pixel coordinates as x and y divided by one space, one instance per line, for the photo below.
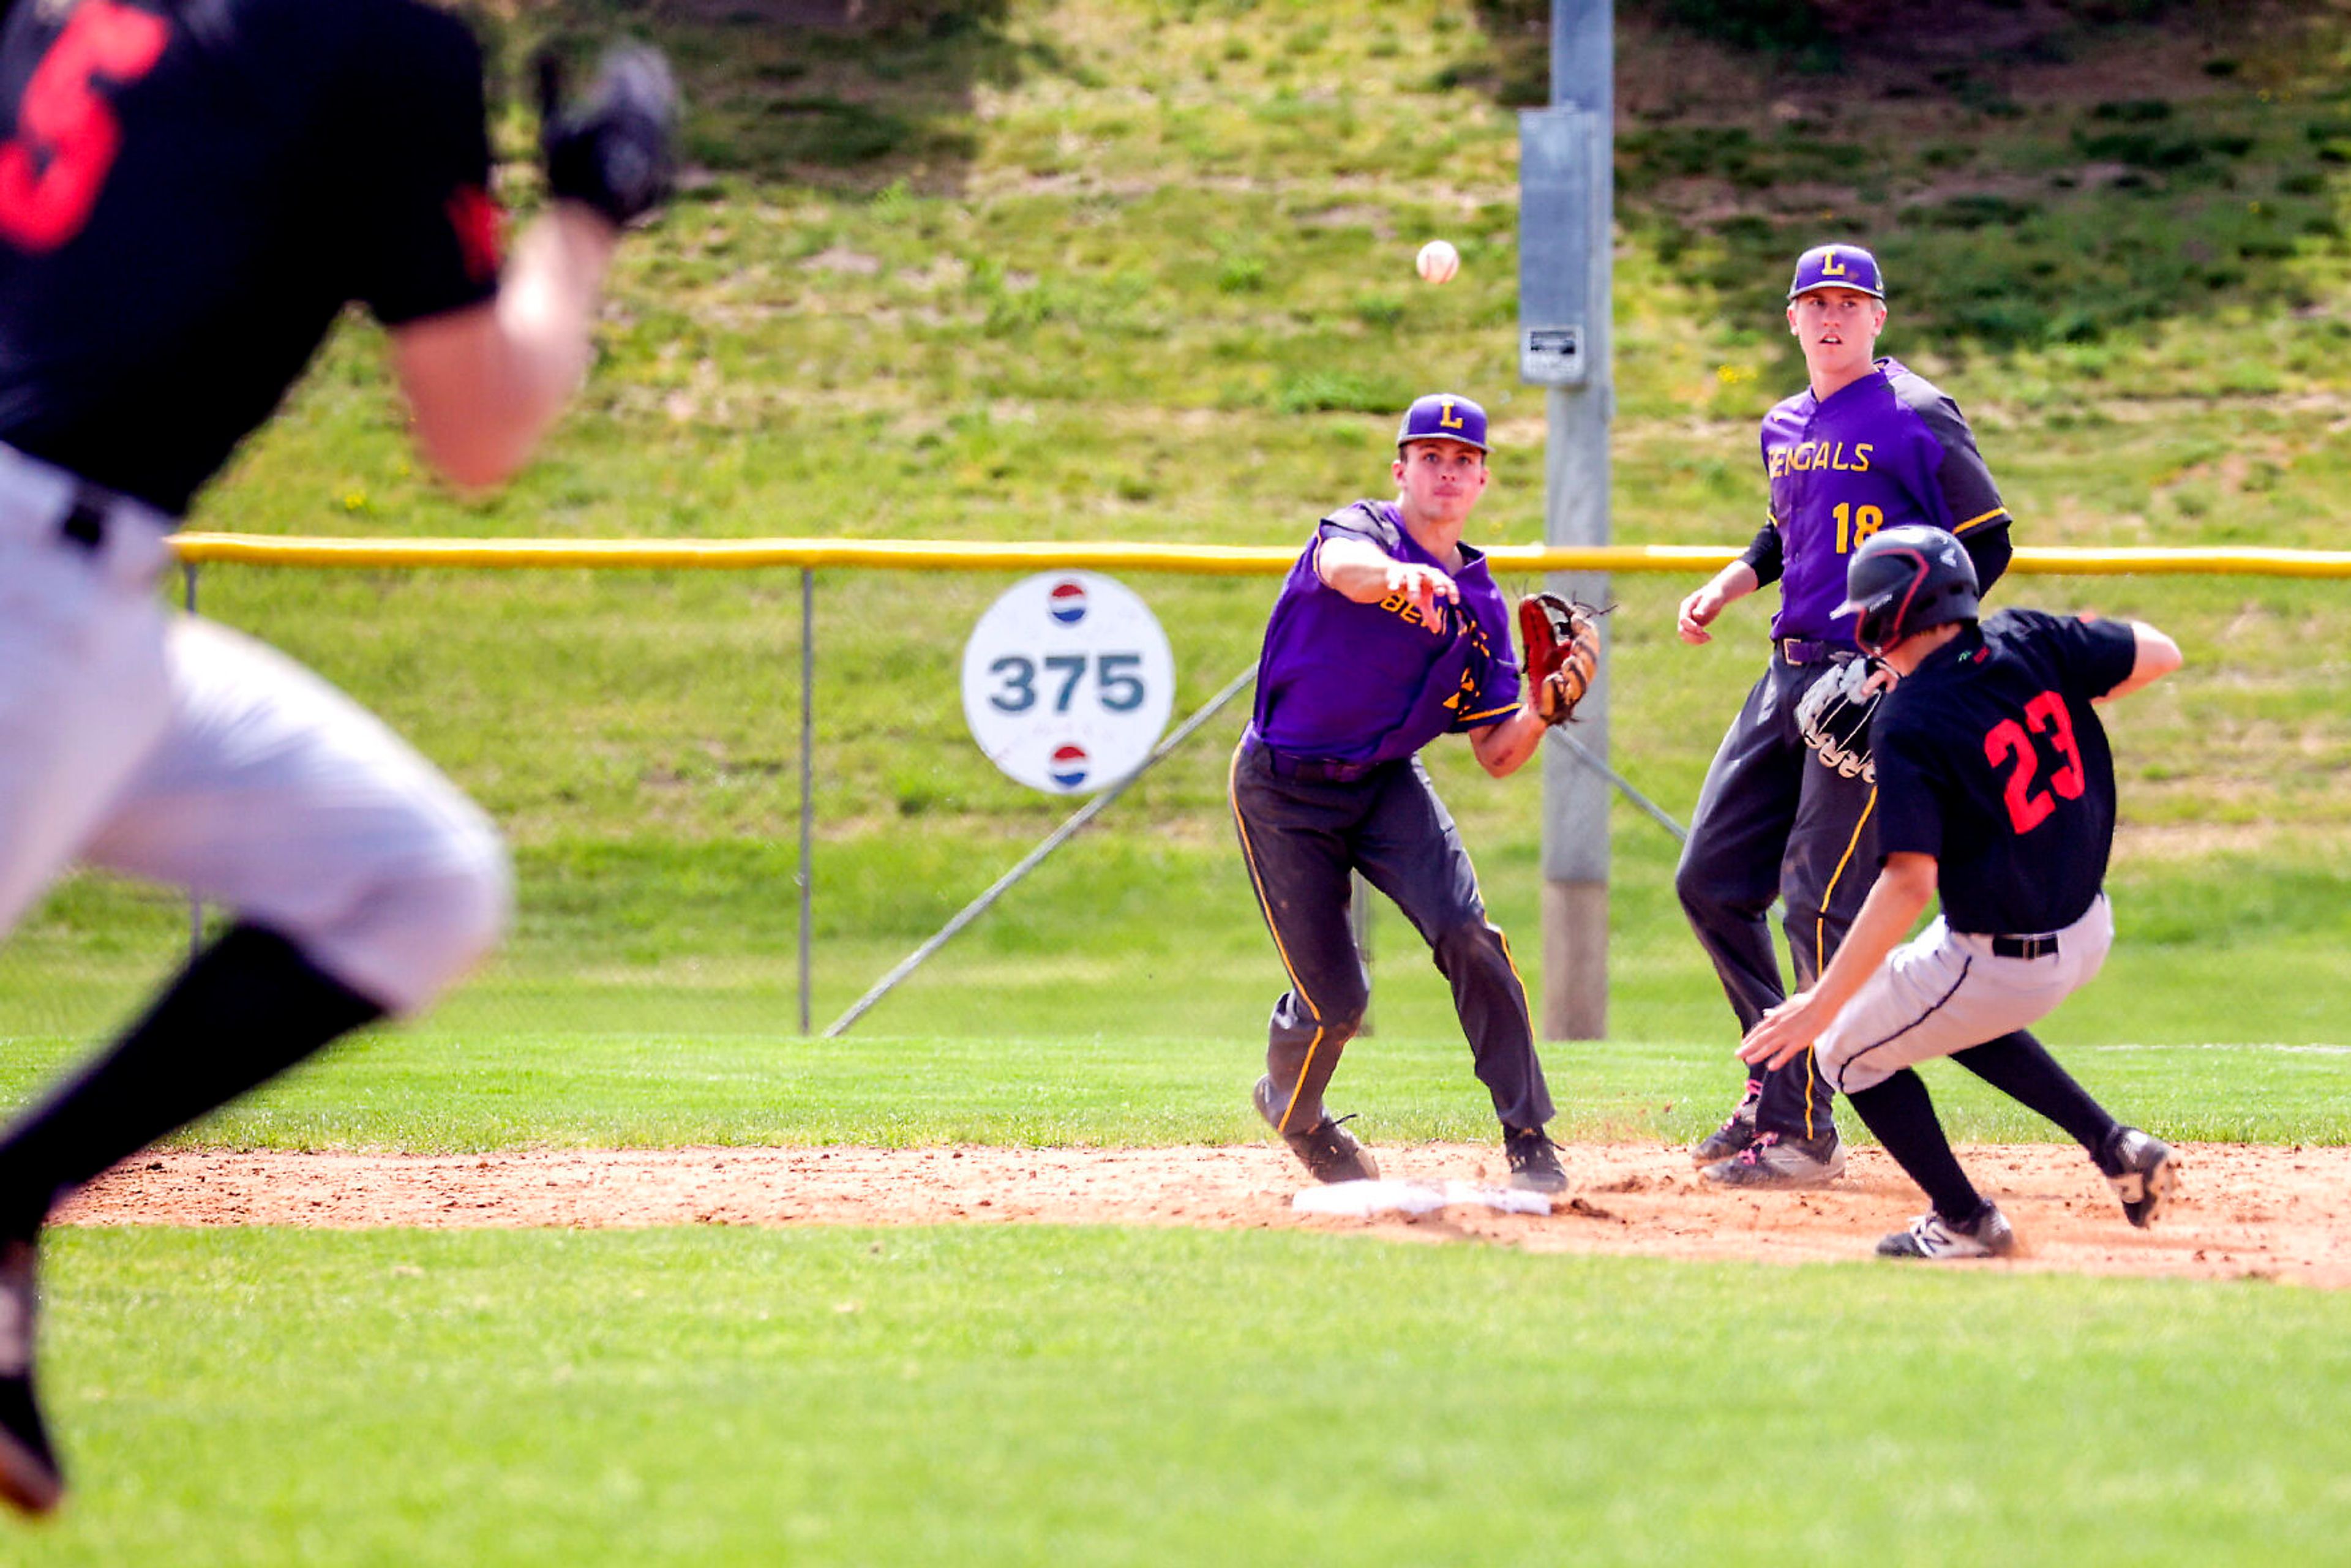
189 196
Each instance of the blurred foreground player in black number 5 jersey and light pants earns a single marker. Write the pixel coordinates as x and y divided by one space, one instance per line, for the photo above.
192 192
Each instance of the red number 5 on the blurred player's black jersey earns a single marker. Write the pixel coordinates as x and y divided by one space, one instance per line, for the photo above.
67 135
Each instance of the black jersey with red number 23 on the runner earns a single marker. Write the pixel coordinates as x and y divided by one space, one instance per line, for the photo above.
1992 760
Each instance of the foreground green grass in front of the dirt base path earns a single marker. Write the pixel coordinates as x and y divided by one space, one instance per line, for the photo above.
1160 1398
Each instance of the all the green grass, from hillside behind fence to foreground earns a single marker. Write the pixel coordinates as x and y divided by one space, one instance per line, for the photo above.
1141 272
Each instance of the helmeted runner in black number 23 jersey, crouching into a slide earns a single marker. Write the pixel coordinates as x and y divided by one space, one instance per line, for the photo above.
1997 793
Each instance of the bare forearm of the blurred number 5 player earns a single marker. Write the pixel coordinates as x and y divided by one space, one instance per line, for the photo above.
488 384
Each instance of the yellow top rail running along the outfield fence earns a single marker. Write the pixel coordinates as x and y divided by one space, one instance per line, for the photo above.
1200 561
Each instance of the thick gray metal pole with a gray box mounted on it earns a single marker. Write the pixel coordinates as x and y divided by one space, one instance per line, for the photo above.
1567 210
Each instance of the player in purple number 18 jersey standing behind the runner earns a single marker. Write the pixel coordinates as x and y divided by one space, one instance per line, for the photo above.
1790 800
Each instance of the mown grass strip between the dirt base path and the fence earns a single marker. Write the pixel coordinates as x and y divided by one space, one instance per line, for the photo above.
438 1092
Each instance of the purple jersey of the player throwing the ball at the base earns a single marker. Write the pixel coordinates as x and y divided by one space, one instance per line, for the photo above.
1377 683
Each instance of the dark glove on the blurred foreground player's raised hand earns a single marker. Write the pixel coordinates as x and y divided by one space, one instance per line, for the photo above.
612 149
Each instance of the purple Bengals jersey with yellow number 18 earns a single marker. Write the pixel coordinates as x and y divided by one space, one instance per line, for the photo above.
1882 453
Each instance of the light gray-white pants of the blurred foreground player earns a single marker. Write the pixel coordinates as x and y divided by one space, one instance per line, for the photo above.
185 753
